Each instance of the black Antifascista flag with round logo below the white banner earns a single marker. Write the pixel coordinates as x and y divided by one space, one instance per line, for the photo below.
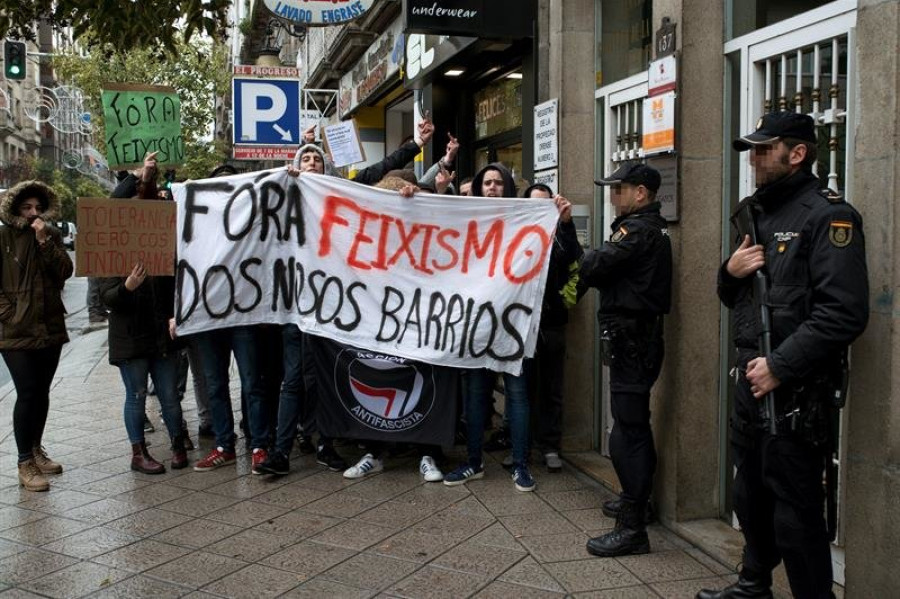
362 394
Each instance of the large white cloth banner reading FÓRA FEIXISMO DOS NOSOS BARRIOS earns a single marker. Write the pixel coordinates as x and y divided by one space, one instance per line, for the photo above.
447 280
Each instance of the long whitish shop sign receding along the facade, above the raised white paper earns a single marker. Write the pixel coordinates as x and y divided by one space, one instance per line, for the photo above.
378 65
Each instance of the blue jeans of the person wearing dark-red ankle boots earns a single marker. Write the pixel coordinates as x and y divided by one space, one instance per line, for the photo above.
164 372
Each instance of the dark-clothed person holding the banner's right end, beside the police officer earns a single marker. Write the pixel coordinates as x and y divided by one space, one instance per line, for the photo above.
550 354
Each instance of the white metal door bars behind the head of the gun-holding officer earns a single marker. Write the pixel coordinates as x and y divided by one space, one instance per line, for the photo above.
814 80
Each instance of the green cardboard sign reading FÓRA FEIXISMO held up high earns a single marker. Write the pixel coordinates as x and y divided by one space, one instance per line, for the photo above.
141 119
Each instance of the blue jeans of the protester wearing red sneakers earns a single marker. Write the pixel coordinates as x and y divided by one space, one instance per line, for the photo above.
215 349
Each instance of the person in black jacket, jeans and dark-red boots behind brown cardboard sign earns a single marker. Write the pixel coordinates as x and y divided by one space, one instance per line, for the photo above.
141 340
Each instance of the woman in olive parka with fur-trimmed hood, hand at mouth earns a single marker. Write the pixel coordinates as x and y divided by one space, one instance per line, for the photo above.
34 266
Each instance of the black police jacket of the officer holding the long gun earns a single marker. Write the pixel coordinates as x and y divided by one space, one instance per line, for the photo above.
818 283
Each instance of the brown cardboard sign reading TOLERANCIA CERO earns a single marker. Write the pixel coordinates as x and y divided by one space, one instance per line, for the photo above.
114 235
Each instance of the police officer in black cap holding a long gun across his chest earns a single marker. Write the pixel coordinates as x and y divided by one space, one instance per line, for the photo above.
811 247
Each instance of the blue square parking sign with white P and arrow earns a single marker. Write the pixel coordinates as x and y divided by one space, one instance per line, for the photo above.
266 111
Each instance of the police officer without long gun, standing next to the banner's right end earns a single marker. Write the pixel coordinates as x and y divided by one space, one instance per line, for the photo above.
633 271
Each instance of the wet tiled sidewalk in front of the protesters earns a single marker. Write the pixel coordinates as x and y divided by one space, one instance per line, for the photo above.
104 531
